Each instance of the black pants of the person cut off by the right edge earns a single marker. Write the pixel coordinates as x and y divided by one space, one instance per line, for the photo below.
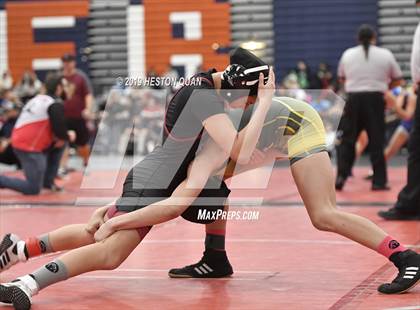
409 197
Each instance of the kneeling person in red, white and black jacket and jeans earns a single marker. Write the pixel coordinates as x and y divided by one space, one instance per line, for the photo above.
38 139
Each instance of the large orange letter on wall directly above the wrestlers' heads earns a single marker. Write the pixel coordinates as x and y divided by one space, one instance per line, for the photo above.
166 36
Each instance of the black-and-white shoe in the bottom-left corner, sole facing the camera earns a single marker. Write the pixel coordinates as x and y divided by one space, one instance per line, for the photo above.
17 294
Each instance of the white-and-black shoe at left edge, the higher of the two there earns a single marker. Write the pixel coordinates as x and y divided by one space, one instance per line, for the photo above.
11 251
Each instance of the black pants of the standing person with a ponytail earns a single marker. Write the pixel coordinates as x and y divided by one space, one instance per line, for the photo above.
366 111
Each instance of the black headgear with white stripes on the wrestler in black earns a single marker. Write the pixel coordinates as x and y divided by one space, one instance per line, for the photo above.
242 73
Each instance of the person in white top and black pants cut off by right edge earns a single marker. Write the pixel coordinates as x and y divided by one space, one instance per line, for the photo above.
407 206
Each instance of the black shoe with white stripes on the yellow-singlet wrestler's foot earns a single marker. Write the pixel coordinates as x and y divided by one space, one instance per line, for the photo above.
408 264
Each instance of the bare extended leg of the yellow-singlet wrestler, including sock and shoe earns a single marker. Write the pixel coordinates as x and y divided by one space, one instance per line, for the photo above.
314 178
